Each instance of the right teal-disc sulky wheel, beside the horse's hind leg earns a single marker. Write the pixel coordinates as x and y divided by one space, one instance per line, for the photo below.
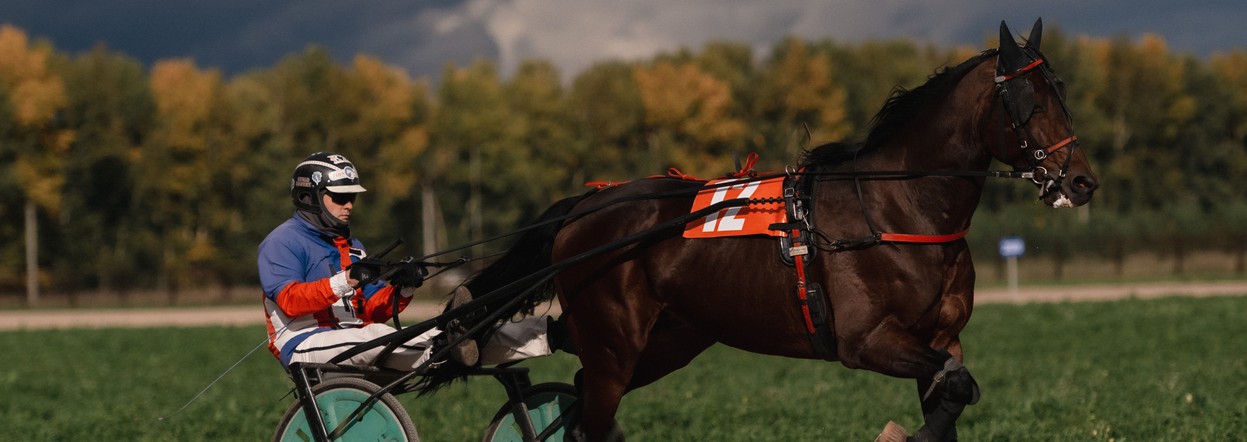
549 405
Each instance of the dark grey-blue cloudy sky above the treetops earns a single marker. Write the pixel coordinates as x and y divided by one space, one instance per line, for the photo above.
423 36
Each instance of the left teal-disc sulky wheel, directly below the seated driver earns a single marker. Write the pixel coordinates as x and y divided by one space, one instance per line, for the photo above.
337 399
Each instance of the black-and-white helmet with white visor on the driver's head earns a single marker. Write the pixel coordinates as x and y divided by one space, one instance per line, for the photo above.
321 173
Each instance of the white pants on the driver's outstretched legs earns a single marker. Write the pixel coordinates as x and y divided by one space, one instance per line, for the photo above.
514 341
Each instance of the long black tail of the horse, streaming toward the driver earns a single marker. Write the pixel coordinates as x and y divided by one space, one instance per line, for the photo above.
529 257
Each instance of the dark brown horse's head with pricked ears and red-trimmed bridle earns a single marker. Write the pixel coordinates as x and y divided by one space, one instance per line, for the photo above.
1031 104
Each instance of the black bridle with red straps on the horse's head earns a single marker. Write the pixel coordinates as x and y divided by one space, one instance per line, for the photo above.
1018 103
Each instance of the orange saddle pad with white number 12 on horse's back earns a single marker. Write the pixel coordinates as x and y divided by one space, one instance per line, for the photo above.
739 222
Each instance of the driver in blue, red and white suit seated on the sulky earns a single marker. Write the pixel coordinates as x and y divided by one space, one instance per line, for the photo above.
321 300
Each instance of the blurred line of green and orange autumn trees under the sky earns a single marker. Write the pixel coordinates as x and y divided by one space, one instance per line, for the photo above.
119 177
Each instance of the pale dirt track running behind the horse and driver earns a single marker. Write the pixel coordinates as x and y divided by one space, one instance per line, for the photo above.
254 315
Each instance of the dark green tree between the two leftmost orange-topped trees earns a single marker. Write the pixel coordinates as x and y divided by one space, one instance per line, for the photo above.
112 109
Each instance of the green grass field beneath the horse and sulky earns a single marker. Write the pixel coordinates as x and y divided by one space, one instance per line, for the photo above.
1159 370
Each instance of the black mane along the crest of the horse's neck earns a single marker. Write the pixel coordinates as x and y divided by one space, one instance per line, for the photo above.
902 108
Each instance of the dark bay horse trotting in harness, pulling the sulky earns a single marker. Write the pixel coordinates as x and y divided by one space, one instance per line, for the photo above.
645 309
